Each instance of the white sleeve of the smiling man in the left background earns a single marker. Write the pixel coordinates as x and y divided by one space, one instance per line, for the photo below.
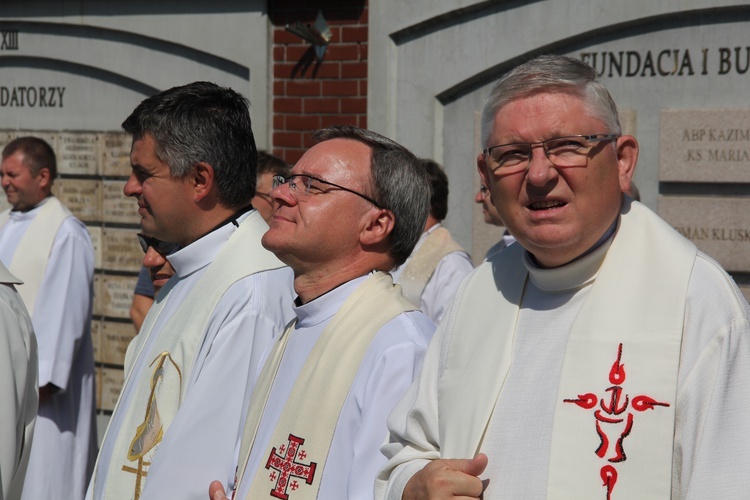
62 313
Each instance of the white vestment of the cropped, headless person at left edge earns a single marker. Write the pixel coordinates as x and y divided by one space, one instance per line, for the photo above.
18 388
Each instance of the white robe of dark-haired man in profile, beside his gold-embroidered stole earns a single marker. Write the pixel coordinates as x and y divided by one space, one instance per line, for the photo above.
198 446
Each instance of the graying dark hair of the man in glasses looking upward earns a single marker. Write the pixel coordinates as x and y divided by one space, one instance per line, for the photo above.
399 184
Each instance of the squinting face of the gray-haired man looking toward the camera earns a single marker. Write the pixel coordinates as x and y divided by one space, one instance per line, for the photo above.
556 213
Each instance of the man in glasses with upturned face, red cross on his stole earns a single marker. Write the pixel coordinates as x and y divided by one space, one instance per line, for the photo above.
353 208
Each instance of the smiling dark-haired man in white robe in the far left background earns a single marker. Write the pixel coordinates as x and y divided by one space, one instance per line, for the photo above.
44 245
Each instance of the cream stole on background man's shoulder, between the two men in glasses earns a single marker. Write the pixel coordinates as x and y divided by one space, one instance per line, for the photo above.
422 264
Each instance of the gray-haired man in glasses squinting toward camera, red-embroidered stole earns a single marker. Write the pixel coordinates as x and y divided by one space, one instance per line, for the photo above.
603 356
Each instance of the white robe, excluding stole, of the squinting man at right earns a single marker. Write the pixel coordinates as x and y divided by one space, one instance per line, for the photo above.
711 428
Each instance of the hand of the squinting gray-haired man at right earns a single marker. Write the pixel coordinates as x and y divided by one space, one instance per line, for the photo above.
447 479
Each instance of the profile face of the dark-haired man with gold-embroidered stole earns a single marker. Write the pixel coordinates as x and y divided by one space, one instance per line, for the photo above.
164 202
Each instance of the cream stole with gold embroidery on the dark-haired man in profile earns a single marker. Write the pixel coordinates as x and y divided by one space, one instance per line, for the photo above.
162 386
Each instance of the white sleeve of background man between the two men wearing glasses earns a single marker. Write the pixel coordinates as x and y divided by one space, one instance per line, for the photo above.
443 284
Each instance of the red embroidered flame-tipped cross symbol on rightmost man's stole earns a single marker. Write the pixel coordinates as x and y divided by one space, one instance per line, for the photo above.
614 421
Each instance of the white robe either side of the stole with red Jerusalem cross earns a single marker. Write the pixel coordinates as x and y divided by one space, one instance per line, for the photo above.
390 363
